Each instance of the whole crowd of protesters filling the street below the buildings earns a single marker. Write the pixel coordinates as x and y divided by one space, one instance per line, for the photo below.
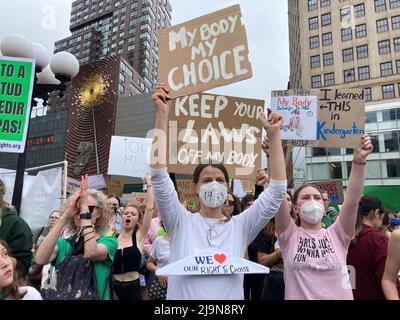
96 249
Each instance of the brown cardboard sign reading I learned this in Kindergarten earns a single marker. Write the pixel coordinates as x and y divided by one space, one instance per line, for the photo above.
341 120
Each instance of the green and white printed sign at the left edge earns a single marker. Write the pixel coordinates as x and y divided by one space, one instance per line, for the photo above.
16 87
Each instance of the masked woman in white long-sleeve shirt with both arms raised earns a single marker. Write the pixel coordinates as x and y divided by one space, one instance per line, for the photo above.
209 230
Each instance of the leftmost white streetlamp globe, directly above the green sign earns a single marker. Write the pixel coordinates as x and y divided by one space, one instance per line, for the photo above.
17 45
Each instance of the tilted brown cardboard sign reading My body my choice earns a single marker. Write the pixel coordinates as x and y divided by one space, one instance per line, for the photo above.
204 53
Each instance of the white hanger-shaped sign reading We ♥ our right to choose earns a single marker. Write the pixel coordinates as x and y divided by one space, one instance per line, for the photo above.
211 262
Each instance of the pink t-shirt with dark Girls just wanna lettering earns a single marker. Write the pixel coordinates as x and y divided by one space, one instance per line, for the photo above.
315 263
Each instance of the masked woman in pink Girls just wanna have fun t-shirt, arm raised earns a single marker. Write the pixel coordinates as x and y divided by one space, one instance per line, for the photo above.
315 258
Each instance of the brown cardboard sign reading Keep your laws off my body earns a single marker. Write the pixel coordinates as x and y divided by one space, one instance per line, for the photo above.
221 128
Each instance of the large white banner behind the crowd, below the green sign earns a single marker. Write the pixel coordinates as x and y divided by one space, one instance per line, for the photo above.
41 194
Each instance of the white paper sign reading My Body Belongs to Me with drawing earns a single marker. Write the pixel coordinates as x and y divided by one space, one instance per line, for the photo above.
300 116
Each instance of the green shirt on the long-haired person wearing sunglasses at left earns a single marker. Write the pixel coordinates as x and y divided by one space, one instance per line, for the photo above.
102 268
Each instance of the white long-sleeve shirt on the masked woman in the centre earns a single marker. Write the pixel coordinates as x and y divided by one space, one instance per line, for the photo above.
188 235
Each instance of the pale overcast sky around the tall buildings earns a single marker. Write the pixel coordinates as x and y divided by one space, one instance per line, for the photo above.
47 21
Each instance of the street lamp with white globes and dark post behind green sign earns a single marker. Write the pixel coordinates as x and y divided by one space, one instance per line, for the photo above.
50 75
